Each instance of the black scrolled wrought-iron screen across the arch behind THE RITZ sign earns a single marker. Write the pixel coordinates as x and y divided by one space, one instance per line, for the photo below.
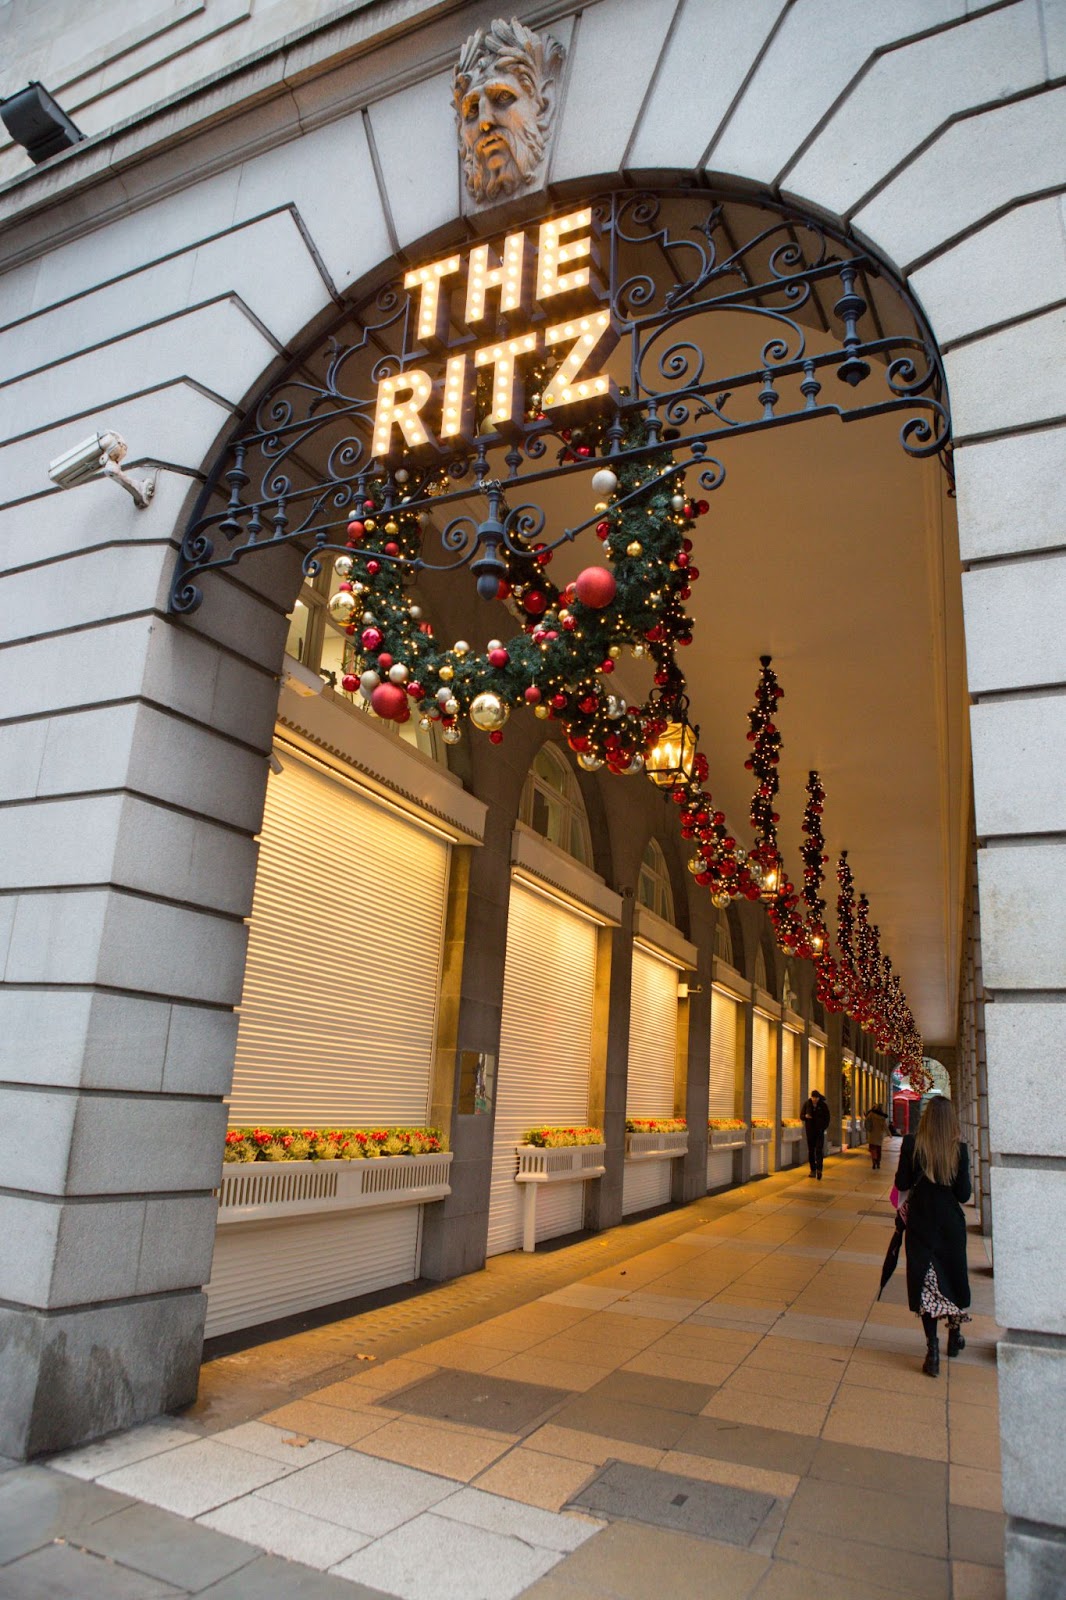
675 270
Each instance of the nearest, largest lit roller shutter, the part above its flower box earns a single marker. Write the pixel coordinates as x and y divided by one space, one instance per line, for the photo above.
339 1015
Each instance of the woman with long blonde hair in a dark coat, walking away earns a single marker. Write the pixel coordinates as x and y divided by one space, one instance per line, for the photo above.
934 1180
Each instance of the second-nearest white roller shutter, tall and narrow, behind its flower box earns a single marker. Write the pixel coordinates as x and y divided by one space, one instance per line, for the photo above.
545 1046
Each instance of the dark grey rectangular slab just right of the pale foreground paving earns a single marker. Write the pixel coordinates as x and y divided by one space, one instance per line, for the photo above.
713 1511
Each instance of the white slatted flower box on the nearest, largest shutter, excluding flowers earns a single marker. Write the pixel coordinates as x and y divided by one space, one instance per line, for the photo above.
273 1191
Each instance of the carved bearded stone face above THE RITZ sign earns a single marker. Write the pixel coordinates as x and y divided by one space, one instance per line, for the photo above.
503 94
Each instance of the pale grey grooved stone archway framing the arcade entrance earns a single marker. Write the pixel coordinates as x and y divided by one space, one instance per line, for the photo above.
180 719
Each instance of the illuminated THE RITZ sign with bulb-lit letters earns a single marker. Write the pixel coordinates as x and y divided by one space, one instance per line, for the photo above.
553 271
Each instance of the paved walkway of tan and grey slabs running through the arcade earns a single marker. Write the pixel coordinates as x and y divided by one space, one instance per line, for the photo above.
713 1394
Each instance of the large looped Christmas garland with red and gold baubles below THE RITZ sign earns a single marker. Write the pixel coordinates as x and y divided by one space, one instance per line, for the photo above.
563 660
